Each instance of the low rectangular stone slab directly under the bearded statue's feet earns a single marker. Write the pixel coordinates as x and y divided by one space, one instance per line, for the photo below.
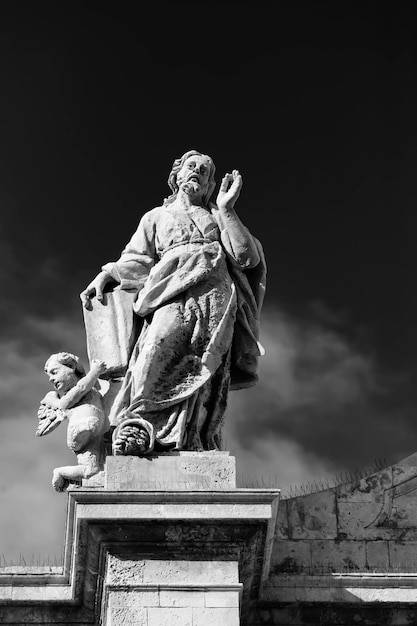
183 470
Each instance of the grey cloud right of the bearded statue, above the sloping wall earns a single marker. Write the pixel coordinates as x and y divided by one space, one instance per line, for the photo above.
321 397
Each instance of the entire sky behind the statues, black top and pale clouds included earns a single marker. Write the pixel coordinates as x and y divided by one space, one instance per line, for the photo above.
315 104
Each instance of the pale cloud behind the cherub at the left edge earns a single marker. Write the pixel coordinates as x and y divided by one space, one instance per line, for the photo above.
26 461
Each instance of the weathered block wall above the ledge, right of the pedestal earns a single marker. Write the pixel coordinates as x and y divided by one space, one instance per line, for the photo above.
369 525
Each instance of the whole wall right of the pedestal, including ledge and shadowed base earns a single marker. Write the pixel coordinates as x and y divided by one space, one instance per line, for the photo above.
346 555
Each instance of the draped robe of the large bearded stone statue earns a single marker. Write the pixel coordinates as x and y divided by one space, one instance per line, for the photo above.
200 313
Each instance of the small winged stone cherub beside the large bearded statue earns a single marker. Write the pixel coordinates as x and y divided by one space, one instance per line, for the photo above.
76 398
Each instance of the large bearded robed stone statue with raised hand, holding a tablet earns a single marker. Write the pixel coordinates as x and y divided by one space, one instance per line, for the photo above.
197 277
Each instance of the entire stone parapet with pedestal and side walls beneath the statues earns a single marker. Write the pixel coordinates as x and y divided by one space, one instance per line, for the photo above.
346 555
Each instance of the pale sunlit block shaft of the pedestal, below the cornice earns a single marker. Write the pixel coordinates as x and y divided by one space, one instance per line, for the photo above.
158 592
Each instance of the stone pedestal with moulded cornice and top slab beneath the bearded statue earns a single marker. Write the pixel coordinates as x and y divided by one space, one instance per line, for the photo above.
170 540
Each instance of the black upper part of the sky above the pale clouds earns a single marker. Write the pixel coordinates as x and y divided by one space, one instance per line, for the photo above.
313 102
